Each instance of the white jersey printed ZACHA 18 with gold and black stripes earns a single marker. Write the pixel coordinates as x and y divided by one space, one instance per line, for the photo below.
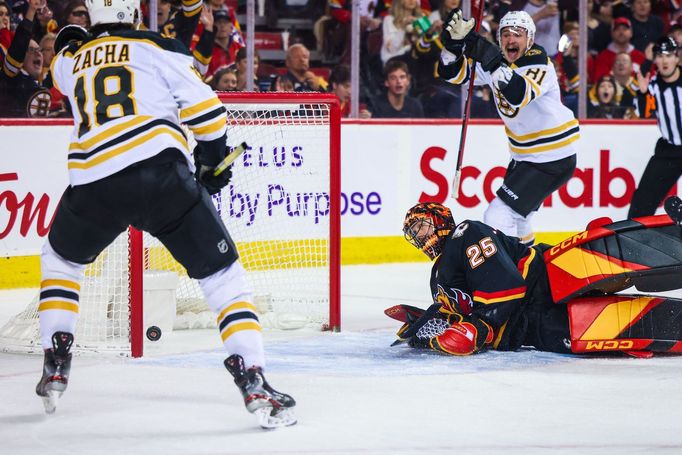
129 91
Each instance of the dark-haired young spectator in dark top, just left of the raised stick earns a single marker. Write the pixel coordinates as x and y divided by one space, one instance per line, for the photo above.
395 103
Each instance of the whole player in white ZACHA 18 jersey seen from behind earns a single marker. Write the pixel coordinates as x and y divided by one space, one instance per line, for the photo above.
129 164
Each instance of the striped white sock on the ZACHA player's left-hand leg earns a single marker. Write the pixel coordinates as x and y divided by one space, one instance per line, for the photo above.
59 294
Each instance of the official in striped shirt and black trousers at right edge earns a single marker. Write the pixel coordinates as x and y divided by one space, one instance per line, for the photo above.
665 166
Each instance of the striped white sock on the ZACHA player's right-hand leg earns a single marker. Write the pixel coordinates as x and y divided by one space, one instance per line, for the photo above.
229 296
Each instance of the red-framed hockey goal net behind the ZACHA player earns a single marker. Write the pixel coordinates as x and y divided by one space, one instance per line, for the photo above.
282 210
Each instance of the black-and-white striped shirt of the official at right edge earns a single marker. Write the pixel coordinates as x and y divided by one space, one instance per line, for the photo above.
668 97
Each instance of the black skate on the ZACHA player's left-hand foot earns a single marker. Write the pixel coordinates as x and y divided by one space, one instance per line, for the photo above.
56 368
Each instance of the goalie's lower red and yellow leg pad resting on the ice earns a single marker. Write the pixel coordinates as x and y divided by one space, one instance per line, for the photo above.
626 323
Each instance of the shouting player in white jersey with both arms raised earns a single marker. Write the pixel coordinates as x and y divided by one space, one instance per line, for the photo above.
541 131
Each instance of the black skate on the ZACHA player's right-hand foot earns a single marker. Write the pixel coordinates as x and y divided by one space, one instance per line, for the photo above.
272 408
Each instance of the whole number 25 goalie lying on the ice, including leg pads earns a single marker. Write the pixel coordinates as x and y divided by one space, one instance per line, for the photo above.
492 292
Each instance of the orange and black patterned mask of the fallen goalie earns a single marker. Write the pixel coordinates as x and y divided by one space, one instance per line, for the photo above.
426 227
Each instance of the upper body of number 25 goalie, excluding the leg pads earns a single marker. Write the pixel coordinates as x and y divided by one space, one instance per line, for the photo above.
490 291
